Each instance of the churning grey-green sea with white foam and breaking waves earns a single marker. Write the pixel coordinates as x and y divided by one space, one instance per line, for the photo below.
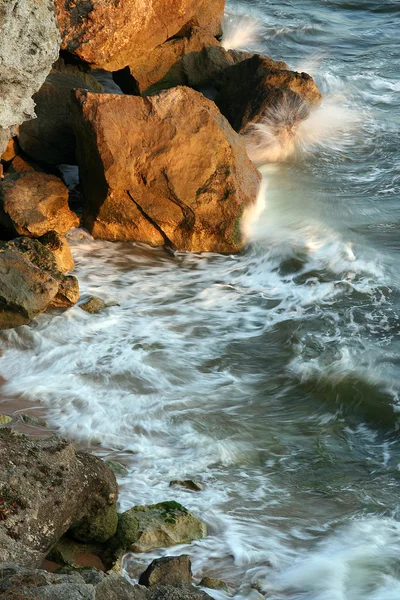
272 376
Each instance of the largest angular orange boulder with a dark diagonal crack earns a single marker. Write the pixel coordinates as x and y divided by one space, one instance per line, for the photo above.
166 169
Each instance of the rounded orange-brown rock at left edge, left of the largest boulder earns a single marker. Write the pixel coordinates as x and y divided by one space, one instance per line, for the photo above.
32 204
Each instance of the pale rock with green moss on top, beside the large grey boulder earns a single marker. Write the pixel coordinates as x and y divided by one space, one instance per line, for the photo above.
159 525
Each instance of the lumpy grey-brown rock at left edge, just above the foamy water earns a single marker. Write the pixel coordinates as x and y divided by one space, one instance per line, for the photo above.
31 282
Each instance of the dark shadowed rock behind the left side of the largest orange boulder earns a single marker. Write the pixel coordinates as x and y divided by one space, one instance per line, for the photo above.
49 138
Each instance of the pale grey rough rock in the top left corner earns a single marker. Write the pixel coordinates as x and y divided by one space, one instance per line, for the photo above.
30 43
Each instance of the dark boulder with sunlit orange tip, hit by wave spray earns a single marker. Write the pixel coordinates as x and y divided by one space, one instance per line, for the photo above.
254 85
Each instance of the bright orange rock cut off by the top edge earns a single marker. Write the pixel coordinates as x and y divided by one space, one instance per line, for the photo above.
112 35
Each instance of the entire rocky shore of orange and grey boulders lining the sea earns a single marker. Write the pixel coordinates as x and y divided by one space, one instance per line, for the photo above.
167 162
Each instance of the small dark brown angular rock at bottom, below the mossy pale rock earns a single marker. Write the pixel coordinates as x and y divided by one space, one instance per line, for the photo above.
169 570
